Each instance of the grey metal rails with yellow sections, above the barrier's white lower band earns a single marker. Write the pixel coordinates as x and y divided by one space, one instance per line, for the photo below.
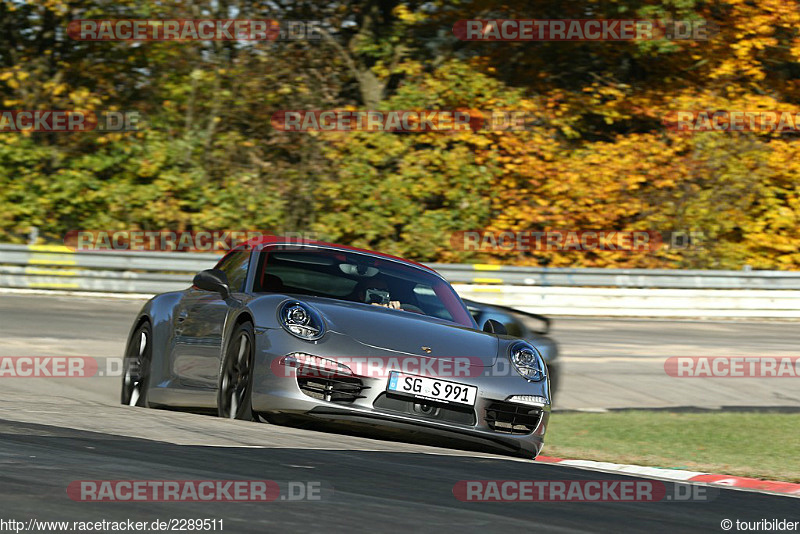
50 261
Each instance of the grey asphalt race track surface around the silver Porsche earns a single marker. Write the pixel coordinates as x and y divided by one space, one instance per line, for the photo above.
56 431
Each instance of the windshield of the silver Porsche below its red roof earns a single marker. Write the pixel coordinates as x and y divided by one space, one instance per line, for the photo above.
357 277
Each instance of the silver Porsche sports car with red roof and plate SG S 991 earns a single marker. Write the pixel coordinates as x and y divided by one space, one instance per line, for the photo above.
287 330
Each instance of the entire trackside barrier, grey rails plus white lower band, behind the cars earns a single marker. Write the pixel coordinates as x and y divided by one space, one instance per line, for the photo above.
558 291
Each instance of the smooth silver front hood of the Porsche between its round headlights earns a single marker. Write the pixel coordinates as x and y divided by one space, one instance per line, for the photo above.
406 332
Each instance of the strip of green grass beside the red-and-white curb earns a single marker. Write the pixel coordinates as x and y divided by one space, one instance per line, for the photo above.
760 445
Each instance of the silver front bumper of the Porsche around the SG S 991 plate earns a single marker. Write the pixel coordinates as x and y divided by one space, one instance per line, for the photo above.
278 394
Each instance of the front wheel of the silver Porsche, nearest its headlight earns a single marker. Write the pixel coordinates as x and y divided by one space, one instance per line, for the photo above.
235 388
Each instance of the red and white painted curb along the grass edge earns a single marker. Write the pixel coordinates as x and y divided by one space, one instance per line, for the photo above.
727 481
